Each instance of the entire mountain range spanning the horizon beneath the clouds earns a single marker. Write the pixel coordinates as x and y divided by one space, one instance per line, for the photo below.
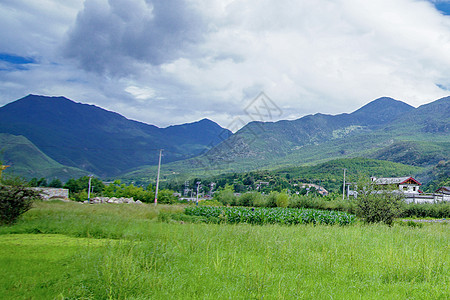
86 138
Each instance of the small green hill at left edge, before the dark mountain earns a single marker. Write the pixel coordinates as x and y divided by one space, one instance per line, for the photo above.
26 160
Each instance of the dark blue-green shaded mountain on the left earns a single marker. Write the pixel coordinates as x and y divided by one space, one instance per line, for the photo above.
99 141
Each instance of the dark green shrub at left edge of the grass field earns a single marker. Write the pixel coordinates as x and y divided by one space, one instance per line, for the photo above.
14 201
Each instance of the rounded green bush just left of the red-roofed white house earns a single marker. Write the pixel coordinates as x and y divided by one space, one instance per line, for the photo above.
377 204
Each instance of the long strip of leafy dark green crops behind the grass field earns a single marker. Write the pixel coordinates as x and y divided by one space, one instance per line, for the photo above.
260 216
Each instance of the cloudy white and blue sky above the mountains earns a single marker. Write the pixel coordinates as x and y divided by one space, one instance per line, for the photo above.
169 62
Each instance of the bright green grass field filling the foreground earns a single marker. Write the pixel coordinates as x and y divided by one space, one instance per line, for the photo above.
71 250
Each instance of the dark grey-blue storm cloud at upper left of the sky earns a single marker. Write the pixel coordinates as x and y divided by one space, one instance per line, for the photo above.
109 36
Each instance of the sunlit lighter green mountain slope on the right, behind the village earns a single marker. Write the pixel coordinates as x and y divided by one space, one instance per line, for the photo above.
384 129
